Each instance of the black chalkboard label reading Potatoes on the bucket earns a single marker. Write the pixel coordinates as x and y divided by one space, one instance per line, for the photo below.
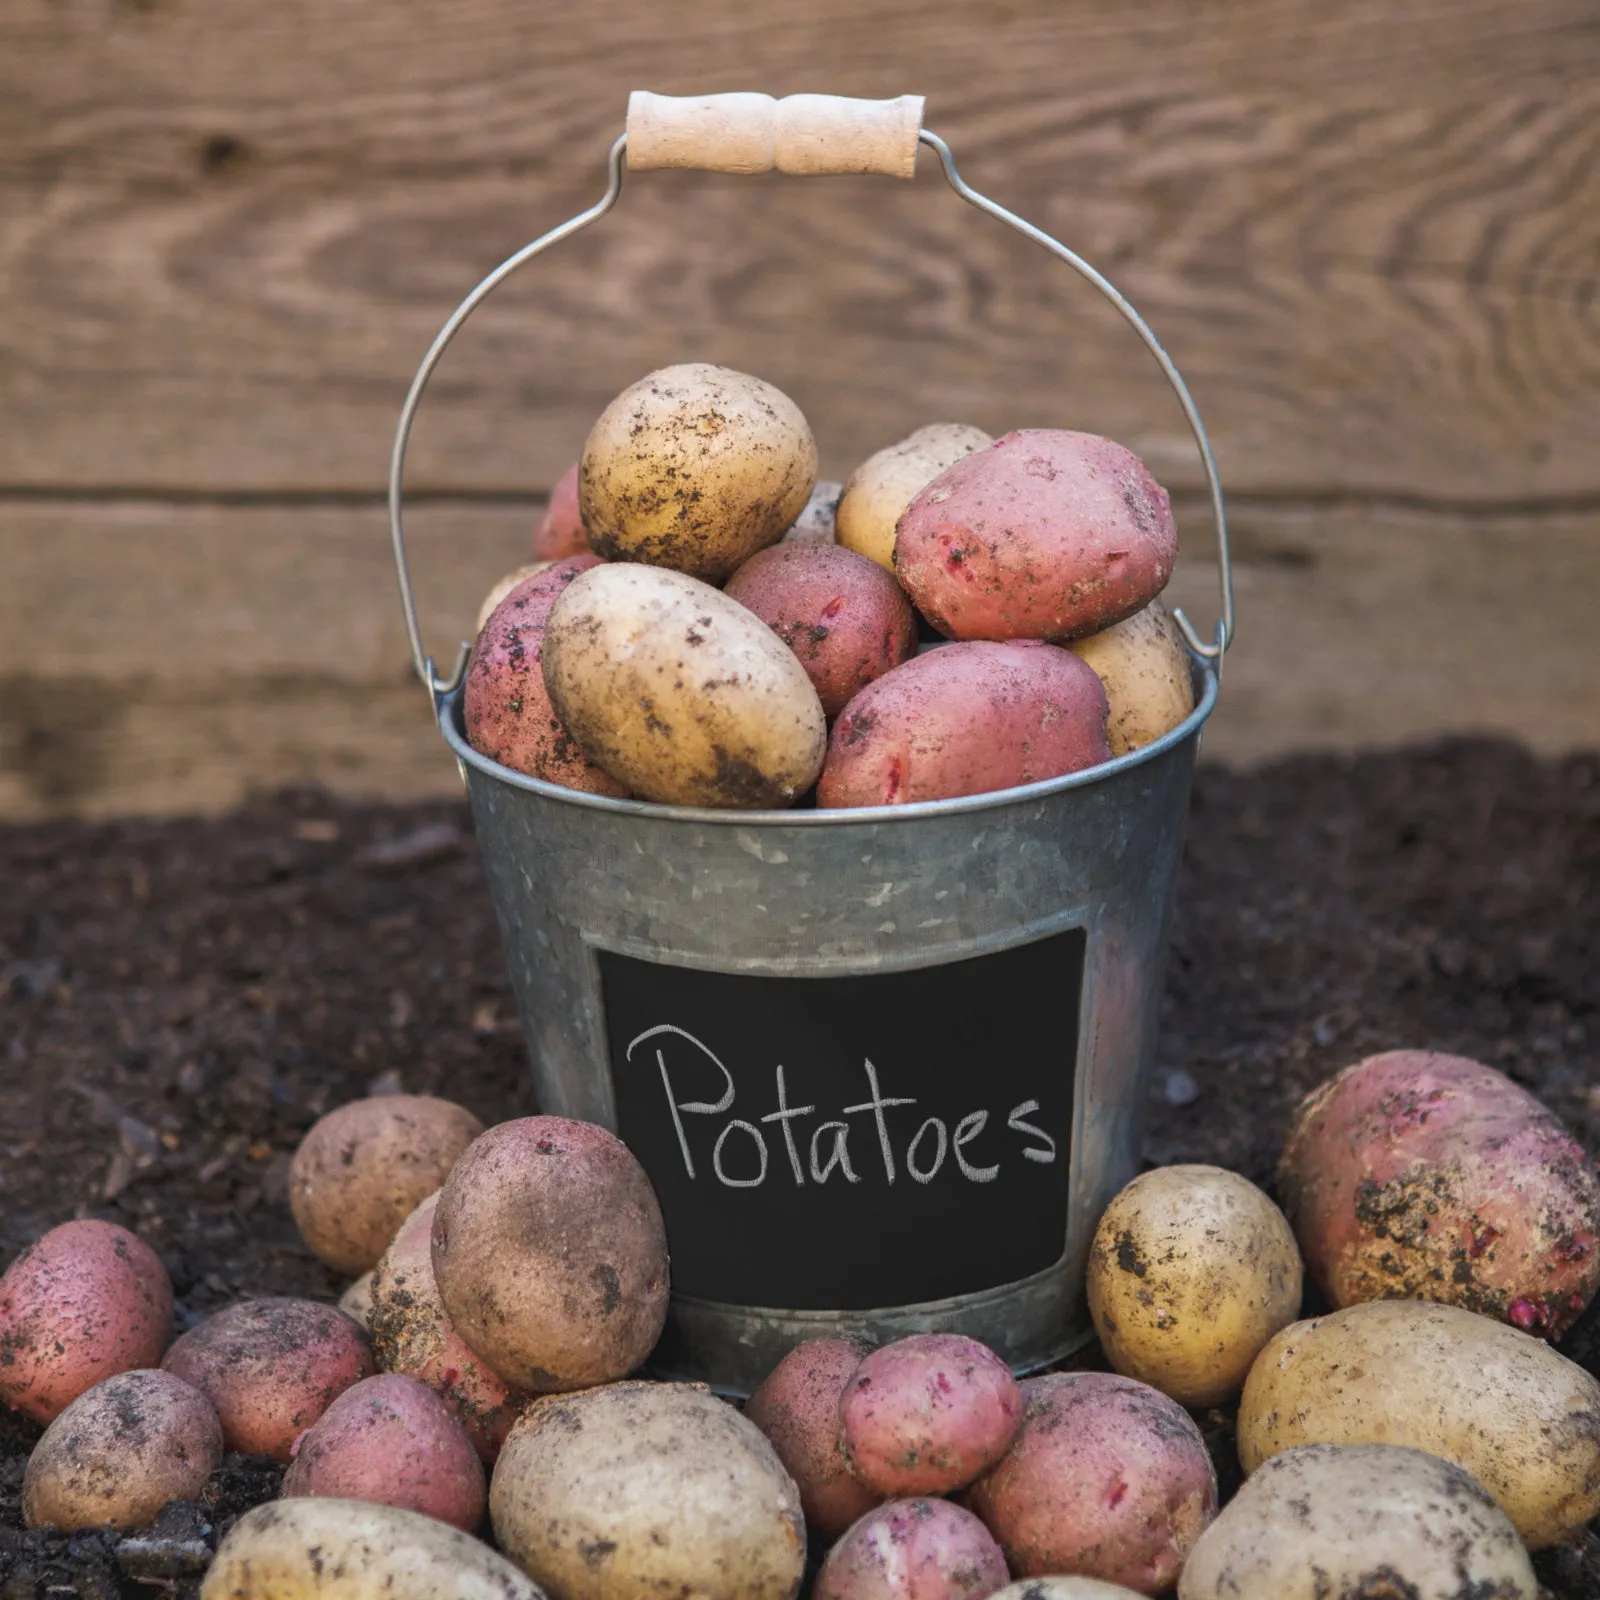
852 1143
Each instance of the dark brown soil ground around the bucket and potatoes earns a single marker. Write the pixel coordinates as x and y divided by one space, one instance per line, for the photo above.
180 1001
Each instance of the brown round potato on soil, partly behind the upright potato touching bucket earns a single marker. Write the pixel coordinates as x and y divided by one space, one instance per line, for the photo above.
364 1169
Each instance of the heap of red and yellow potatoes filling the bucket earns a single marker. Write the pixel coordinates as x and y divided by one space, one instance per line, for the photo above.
708 625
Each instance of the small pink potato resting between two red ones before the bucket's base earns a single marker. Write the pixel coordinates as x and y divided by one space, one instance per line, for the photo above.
926 1415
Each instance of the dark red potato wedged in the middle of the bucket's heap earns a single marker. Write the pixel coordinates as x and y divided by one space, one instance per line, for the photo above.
842 615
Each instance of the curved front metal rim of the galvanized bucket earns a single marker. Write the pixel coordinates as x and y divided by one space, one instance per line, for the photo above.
449 710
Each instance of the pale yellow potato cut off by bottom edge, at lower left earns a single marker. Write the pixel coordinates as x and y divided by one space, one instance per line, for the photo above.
334 1550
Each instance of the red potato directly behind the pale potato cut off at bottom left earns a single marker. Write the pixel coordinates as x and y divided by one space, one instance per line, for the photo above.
393 1441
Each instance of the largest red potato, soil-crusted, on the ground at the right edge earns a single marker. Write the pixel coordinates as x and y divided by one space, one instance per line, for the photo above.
1425 1177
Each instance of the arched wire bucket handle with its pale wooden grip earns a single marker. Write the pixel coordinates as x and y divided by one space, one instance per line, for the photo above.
802 135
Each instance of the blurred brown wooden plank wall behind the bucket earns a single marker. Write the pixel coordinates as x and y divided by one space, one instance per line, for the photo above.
1369 231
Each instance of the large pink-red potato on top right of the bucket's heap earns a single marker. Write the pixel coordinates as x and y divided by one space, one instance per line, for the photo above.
1044 535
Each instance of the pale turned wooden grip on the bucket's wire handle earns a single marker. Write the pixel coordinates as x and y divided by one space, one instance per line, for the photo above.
754 134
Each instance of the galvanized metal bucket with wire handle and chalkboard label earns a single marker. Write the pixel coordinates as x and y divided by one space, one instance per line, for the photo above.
886 1068
